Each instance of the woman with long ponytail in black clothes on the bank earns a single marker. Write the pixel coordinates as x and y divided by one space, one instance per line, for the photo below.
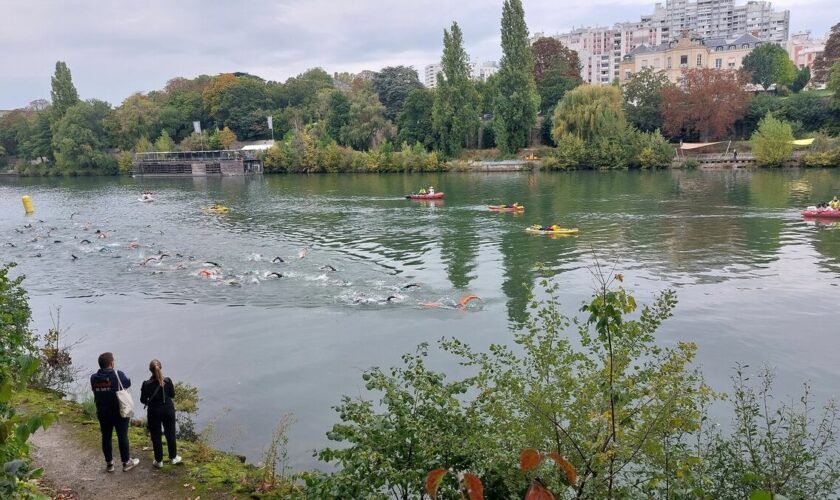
157 393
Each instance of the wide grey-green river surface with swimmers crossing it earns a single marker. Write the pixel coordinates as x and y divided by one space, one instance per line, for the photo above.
756 283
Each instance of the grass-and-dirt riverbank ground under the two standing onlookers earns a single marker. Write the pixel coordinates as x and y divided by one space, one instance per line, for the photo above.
69 452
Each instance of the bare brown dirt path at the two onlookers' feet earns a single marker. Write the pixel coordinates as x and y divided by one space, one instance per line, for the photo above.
76 470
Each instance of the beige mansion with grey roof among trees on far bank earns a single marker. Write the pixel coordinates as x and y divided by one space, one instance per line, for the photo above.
688 52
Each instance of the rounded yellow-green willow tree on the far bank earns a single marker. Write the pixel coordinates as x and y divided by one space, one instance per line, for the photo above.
589 112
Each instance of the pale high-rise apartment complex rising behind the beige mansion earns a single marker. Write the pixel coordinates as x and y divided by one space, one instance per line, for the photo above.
601 49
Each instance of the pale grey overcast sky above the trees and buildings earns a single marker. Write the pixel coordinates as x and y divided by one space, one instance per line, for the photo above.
115 48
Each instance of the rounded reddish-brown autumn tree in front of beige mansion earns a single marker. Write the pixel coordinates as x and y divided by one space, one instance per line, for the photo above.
705 104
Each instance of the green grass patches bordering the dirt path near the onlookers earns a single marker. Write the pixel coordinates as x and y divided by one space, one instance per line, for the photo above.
211 472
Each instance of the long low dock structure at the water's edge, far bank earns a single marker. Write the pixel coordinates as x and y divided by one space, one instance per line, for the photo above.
196 163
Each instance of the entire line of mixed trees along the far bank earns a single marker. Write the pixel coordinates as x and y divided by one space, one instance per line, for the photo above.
354 121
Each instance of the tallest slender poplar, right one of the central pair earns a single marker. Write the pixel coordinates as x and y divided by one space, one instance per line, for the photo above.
515 106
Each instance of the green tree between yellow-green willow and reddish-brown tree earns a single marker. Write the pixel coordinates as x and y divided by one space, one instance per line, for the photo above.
643 99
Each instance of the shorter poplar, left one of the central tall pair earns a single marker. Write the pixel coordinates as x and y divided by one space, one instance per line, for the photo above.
455 110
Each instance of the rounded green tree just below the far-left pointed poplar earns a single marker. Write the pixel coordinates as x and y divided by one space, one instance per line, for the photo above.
80 140
